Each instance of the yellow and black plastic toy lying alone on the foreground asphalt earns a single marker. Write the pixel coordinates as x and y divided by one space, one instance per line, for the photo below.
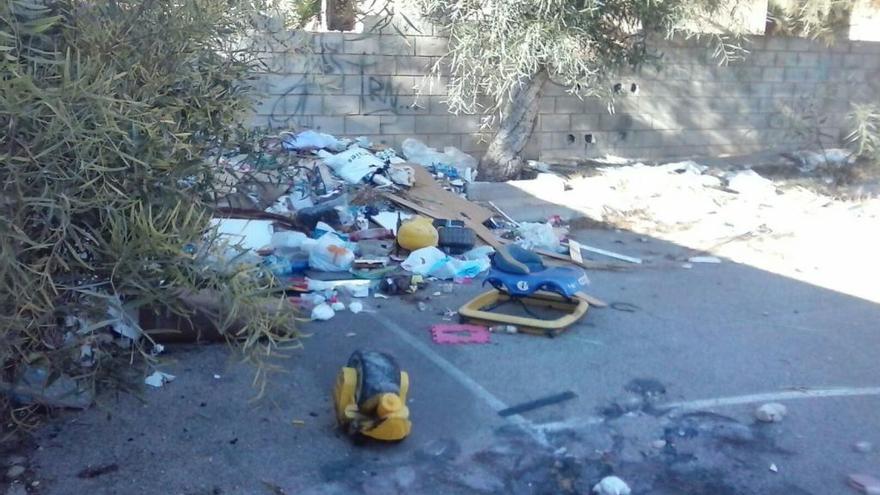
370 397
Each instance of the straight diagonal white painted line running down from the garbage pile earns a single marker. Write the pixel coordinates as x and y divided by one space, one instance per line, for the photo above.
463 379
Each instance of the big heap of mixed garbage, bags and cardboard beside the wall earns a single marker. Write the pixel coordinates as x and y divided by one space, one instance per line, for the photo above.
346 219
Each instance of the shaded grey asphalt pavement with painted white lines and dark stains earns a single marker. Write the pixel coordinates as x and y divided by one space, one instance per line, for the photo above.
666 382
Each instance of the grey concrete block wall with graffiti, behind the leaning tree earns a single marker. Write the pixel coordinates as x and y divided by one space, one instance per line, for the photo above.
367 84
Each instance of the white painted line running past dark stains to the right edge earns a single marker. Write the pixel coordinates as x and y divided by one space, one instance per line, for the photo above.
737 400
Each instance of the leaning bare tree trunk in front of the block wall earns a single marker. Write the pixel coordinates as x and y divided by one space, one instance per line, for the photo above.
502 160
